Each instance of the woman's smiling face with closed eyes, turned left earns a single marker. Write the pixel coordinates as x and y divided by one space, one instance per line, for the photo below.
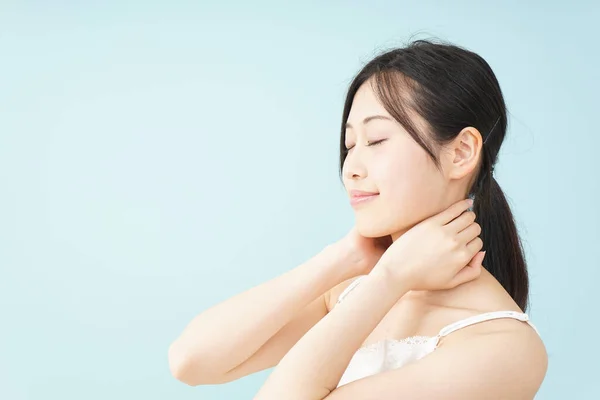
410 188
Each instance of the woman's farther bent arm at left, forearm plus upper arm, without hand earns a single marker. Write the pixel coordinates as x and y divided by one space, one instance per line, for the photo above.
250 331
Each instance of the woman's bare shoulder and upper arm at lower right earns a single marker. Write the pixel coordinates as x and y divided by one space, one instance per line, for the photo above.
507 362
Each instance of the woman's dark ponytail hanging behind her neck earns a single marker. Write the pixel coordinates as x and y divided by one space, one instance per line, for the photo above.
504 257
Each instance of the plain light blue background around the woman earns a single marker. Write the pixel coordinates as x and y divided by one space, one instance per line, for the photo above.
158 158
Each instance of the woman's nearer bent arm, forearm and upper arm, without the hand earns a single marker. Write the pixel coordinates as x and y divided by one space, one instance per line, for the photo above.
498 365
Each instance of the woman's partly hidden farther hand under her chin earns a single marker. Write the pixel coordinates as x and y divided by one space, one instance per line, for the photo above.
362 252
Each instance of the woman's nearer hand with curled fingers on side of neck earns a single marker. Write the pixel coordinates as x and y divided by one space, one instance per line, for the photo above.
440 252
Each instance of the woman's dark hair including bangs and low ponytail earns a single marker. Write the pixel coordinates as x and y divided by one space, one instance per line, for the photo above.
451 88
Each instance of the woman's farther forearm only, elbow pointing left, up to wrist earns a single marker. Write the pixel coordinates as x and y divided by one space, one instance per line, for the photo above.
224 336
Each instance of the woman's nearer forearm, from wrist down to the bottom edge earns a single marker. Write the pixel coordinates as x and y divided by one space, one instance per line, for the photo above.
314 366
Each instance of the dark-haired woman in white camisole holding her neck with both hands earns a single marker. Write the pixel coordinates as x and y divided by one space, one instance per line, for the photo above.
404 306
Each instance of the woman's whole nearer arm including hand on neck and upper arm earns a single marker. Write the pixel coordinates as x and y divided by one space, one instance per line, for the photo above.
439 253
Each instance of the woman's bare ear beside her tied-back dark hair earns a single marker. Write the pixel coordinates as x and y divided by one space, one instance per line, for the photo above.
463 153
